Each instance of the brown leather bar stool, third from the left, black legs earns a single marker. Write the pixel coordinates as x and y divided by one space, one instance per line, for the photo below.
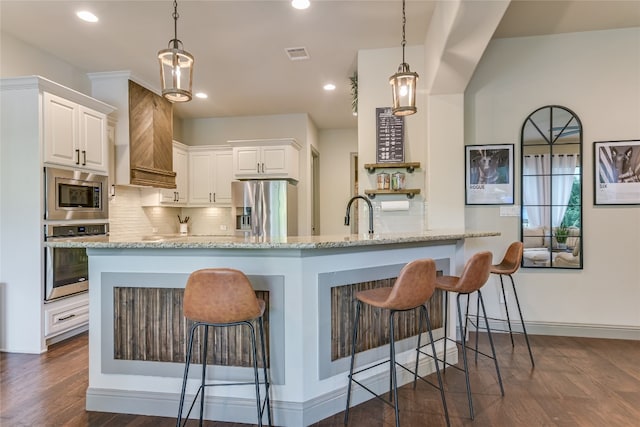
474 275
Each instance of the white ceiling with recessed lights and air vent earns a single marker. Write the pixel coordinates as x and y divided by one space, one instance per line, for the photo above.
239 46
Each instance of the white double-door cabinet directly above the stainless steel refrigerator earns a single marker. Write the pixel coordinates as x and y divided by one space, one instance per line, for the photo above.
266 159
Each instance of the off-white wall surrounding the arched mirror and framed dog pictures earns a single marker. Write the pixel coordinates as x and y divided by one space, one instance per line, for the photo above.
597 75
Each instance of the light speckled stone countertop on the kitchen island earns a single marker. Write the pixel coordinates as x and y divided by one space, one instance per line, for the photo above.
176 241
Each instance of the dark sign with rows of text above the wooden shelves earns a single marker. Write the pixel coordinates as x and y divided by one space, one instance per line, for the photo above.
389 136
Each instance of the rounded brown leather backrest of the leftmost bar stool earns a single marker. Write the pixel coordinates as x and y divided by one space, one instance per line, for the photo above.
220 295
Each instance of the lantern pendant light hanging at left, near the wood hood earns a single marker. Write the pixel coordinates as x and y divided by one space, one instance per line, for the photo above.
176 67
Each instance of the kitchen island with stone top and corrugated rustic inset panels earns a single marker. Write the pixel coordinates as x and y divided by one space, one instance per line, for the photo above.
137 333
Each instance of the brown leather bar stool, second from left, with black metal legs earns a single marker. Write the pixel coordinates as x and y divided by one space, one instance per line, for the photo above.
413 287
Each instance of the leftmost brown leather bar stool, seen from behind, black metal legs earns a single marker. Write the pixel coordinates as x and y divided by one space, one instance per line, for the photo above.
222 297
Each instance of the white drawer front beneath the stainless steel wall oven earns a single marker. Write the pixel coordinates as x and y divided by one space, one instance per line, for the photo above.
66 314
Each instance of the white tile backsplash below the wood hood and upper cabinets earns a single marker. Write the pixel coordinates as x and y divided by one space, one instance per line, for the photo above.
128 217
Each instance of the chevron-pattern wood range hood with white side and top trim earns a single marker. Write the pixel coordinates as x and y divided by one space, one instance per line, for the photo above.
141 130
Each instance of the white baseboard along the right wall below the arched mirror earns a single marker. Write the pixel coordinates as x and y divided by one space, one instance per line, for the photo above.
567 329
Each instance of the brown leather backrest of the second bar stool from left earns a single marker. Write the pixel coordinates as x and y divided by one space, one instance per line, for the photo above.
414 286
